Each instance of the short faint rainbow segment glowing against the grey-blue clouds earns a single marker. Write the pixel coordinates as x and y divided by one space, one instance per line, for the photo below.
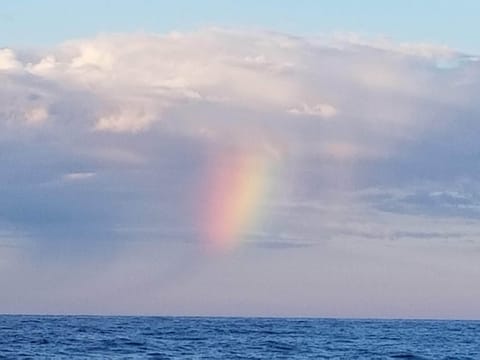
236 187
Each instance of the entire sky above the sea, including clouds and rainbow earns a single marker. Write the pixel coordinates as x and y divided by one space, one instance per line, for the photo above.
274 158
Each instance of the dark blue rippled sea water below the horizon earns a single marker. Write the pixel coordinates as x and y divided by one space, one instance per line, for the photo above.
81 337
